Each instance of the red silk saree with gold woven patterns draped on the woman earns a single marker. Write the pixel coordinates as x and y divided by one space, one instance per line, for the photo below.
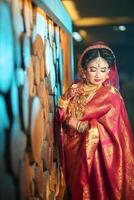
99 164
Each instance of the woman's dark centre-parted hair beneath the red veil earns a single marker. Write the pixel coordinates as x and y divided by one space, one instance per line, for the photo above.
94 53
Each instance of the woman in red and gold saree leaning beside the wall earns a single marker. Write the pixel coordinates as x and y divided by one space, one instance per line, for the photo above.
94 137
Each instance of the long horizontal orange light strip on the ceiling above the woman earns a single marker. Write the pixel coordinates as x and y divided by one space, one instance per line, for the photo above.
96 21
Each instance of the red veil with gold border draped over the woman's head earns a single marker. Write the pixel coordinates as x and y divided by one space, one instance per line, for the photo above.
113 79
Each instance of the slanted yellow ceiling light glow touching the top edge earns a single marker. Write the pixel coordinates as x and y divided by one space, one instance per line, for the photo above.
71 9
